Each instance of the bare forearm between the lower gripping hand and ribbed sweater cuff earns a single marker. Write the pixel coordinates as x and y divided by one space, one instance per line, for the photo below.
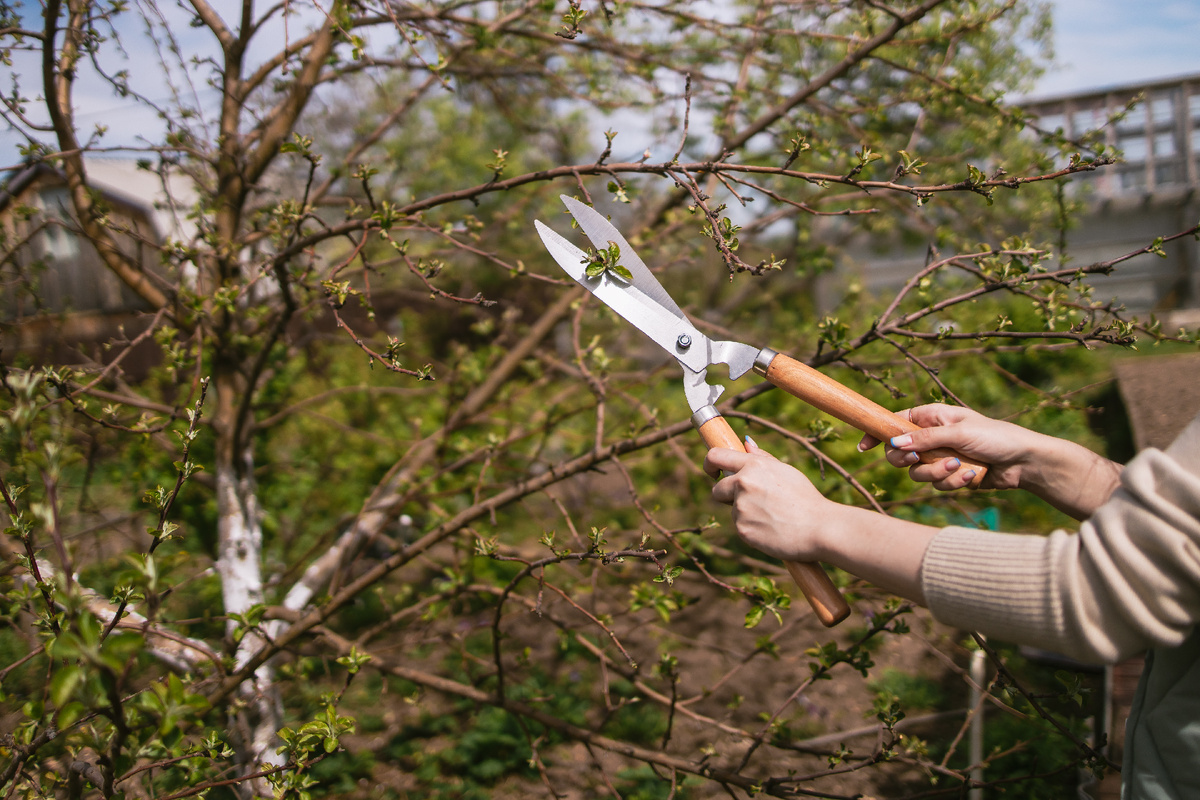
878 549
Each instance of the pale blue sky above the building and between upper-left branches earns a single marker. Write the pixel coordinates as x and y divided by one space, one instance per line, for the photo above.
1097 44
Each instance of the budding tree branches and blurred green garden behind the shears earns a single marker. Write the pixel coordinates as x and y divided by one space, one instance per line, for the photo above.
554 603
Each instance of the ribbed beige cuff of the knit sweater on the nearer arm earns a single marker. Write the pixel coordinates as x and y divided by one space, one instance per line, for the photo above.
993 584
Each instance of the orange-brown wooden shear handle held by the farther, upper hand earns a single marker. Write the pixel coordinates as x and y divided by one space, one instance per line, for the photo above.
827 395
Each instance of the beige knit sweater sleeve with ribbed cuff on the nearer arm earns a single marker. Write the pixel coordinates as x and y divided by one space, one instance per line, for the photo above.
1129 581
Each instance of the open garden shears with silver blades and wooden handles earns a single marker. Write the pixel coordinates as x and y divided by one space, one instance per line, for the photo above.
616 275
